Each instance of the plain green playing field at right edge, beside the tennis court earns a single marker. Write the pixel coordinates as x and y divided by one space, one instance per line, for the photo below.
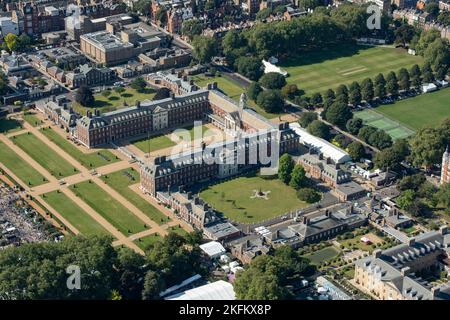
426 110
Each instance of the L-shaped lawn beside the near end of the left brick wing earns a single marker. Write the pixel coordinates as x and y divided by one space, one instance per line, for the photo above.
90 160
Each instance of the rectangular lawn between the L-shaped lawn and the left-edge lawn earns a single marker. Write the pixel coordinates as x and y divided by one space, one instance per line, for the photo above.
45 156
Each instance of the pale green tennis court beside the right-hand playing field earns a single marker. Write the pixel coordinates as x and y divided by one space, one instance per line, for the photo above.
379 121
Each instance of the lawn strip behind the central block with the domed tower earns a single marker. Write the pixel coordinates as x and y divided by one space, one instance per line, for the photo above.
233 90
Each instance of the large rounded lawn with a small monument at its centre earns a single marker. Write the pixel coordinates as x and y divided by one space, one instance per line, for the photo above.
234 199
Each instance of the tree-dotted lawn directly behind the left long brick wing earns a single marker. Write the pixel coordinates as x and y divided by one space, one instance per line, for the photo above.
116 101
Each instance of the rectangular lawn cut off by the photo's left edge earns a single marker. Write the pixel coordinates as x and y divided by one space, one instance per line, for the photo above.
20 167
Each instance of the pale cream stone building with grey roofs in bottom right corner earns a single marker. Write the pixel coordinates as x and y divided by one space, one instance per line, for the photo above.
394 274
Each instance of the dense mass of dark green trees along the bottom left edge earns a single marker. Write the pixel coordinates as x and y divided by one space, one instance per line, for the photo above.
38 271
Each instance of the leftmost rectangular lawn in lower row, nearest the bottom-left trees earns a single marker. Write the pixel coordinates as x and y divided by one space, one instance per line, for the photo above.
74 214
